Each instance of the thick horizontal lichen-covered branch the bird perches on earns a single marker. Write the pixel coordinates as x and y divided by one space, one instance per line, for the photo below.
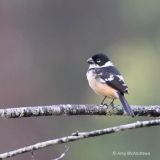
76 109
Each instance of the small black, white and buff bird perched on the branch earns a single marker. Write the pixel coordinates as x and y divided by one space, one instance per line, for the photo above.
106 80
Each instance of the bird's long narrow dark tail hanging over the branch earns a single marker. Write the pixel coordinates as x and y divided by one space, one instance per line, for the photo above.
125 105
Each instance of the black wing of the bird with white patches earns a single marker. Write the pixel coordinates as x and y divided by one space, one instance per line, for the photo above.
112 77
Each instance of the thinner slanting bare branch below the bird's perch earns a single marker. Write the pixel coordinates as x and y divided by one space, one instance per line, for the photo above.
81 135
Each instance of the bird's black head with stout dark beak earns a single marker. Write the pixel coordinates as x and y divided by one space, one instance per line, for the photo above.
99 59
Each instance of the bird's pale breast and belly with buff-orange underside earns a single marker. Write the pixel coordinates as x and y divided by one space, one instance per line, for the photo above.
99 86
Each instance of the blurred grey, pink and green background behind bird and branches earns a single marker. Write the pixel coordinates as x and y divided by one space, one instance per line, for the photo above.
44 45
